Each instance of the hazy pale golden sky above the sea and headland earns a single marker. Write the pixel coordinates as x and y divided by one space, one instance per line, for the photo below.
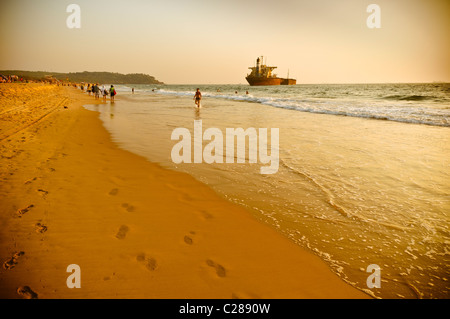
211 41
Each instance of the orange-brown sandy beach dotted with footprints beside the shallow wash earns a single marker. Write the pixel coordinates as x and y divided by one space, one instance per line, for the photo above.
69 195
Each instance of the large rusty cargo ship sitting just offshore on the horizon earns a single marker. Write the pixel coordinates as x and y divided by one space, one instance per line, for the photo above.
262 75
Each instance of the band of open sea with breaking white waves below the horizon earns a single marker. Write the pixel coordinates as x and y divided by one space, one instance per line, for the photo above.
409 103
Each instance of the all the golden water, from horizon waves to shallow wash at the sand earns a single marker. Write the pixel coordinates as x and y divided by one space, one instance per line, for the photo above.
363 176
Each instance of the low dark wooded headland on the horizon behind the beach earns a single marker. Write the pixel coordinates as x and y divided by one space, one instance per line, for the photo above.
91 77
